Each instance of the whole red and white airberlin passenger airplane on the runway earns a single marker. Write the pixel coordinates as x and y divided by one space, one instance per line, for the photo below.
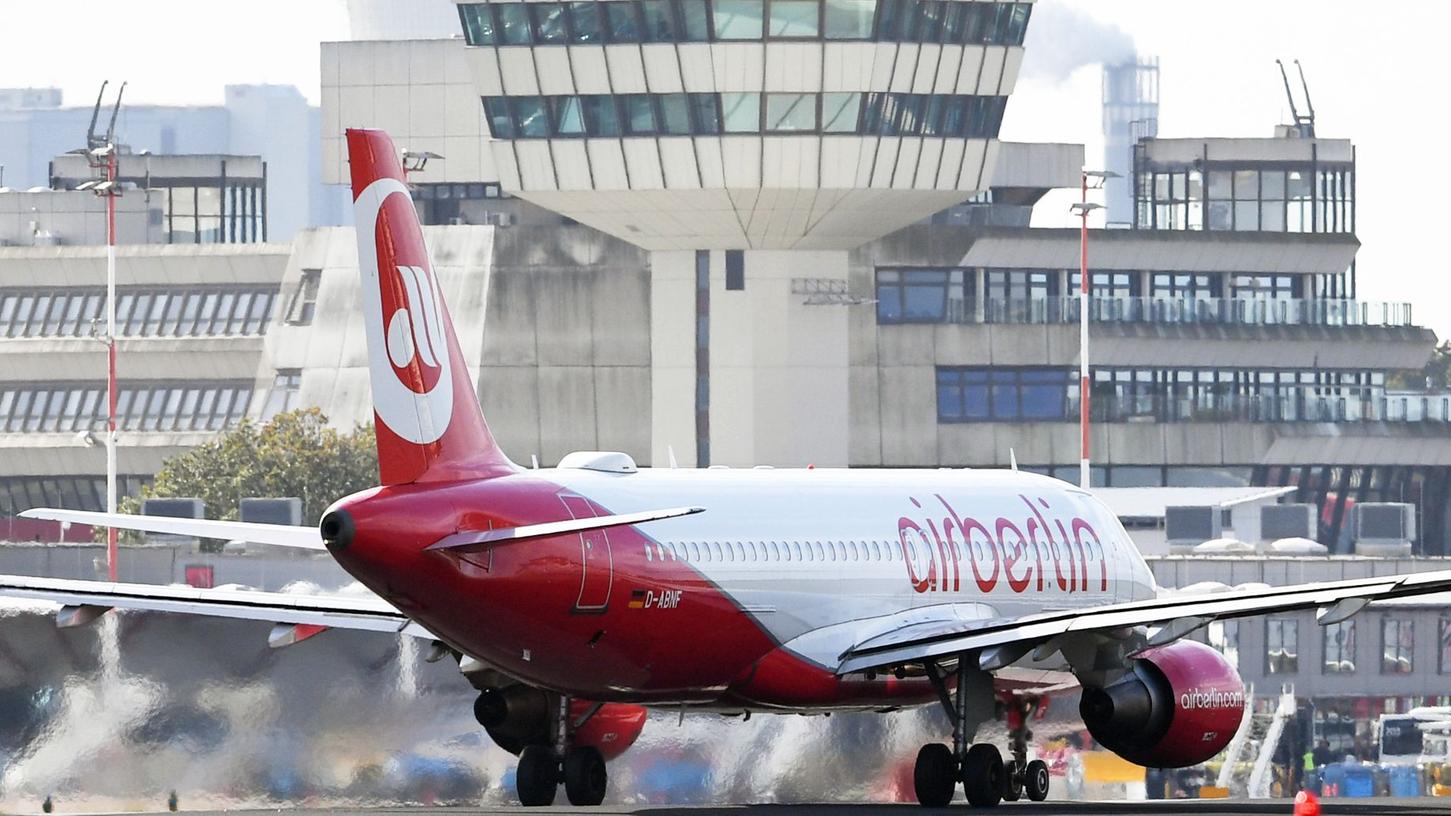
578 597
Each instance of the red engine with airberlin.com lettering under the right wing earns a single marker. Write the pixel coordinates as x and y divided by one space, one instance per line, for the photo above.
1179 706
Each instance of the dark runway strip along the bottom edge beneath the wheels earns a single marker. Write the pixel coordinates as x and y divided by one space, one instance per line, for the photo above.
1424 807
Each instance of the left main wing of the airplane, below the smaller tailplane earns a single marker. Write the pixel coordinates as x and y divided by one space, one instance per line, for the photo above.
295 616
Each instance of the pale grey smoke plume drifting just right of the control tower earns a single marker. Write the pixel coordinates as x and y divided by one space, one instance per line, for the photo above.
1063 40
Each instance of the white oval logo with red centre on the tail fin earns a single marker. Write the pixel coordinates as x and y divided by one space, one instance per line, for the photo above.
403 311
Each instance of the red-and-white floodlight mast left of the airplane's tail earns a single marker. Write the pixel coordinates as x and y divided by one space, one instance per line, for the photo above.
101 155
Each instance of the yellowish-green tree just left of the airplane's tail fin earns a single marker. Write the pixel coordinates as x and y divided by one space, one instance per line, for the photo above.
291 455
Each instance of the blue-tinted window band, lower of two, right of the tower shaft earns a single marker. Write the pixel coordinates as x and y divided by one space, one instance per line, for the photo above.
982 394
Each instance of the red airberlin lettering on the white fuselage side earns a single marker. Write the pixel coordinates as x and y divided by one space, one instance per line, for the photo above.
1028 554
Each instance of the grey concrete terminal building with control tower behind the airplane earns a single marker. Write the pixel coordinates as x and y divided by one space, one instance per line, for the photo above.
725 233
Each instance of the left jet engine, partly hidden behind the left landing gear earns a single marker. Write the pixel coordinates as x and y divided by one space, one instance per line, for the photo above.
517 717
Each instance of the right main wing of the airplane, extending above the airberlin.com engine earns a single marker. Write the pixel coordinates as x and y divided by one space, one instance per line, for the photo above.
1002 642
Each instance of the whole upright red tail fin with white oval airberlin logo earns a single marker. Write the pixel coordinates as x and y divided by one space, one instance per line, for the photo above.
430 428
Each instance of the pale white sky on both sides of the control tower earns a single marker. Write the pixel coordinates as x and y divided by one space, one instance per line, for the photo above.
1378 75
